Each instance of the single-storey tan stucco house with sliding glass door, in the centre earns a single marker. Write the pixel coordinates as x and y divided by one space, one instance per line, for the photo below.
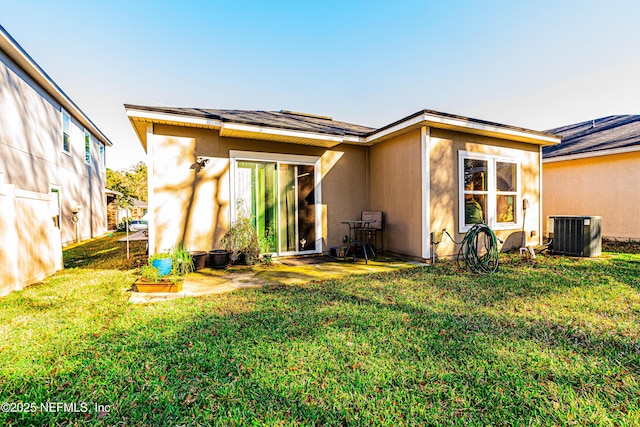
302 175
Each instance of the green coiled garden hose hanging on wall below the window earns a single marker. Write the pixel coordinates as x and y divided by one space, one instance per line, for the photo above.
479 249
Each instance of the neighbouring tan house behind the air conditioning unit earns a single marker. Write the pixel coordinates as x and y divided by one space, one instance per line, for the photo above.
595 172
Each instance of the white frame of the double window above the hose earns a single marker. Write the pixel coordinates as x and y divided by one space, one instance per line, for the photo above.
491 192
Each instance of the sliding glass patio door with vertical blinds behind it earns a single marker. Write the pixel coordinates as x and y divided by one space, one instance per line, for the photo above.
281 198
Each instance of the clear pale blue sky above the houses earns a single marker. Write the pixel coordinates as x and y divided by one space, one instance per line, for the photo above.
536 64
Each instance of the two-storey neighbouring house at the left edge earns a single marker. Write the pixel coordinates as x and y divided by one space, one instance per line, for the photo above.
52 163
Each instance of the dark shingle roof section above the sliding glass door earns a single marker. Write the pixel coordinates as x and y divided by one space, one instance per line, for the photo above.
276 119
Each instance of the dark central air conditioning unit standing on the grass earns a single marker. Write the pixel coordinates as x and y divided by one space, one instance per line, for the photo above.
576 235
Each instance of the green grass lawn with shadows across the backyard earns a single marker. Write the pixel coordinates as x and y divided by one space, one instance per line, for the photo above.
550 342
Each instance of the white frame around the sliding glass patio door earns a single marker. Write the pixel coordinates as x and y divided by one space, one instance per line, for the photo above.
235 156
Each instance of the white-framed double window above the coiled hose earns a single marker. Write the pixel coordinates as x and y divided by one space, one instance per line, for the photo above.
489 190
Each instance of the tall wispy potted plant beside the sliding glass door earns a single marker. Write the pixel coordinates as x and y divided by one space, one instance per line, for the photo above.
241 238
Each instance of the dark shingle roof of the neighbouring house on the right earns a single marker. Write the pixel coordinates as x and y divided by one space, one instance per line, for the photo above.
607 133
